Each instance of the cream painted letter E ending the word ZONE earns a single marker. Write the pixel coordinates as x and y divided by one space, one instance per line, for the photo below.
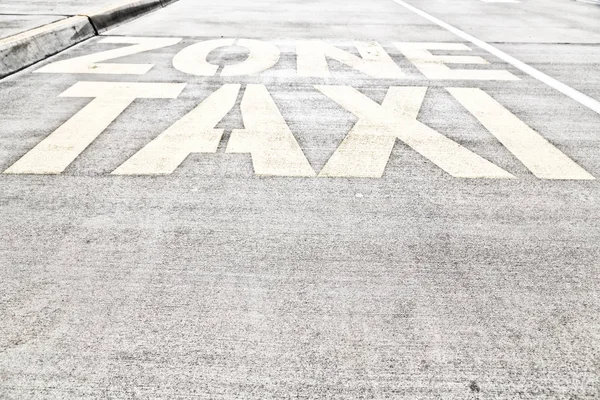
434 67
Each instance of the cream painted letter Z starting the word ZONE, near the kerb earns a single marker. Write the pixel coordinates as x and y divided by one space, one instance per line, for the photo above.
90 64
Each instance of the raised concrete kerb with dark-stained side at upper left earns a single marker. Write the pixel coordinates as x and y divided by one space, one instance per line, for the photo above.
26 48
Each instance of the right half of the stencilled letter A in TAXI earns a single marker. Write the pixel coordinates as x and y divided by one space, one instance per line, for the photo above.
267 137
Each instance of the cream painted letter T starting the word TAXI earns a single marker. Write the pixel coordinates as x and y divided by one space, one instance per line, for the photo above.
54 154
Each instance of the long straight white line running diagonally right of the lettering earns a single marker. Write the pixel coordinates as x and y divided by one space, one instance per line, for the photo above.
579 97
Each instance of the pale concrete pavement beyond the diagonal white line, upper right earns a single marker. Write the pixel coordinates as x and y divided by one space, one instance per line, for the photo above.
537 32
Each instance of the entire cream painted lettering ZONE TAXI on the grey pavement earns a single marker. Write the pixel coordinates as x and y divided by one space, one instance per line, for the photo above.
273 148
